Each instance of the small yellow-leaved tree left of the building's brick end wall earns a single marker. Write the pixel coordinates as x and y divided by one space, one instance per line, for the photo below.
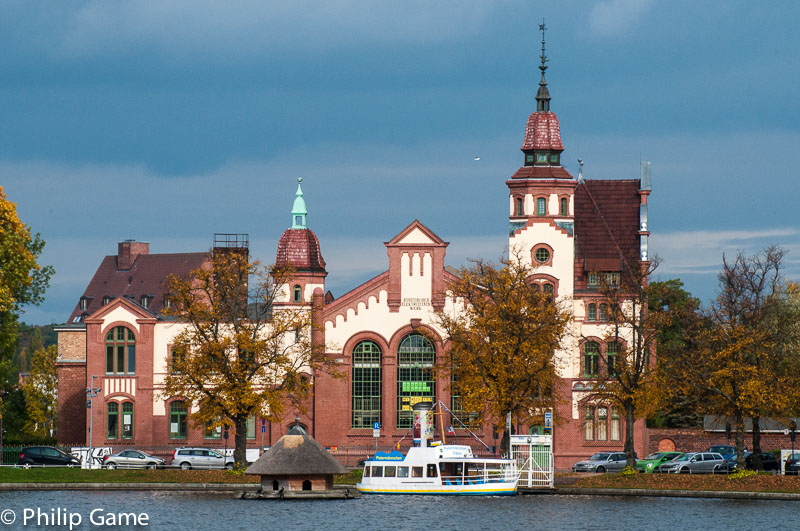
40 390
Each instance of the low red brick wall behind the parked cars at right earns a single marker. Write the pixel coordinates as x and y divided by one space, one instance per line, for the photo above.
696 439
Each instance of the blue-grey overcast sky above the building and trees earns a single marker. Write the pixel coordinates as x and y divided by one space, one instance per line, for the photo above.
168 121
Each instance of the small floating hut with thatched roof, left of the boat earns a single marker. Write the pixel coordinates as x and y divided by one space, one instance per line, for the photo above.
296 462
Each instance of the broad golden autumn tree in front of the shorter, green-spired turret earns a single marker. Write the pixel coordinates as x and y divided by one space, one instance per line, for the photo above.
239 354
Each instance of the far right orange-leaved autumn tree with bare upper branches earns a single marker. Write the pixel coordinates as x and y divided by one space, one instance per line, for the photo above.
749 362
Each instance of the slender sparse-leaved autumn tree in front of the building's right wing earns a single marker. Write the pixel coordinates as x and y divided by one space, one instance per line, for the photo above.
625 376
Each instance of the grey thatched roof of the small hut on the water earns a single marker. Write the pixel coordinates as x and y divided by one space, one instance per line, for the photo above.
296 454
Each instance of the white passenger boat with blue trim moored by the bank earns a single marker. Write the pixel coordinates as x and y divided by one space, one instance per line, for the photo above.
442 469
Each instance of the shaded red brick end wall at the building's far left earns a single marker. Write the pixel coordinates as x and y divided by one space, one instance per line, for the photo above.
71 402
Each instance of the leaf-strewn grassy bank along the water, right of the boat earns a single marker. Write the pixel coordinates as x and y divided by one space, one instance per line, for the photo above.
757 483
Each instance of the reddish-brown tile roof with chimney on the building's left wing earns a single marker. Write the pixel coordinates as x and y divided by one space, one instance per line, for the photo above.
147 276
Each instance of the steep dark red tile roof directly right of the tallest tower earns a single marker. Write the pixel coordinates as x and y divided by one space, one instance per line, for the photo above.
607 221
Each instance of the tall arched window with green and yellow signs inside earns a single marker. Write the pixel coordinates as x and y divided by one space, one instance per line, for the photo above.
415 380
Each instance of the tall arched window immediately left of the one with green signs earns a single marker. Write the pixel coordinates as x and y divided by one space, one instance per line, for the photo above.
366 384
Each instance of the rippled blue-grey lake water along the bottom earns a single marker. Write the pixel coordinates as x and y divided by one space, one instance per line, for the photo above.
199 512
